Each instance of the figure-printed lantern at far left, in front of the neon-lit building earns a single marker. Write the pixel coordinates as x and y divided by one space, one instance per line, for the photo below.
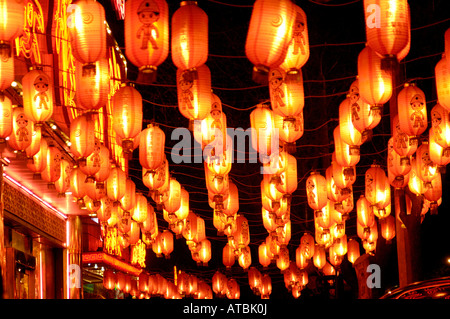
37 95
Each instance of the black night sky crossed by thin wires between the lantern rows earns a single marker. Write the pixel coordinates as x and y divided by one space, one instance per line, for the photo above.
336 36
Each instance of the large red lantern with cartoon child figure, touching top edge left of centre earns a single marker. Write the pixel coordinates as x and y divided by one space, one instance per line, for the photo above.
146 33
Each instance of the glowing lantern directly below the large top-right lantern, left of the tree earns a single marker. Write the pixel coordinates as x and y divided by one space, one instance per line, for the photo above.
375 84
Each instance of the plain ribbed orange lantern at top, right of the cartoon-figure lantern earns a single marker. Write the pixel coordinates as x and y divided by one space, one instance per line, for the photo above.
189 41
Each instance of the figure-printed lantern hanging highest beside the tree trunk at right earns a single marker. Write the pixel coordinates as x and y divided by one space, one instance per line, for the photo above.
412 110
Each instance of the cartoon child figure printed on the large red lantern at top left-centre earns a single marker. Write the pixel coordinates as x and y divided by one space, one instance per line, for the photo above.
148 13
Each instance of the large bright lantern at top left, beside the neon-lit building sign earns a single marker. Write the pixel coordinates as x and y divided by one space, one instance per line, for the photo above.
88 32
